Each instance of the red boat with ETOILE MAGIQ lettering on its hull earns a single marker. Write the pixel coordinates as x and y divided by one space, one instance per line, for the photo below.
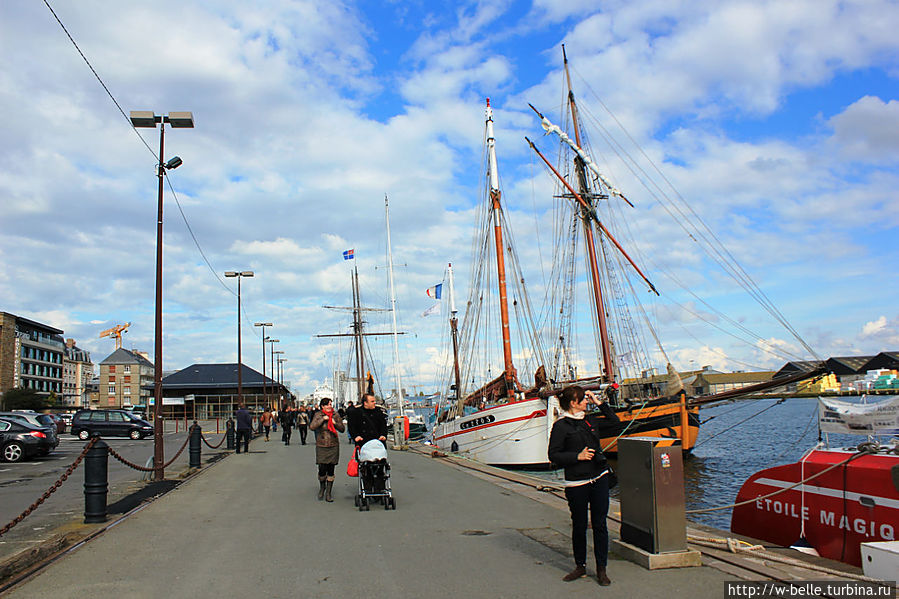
855 501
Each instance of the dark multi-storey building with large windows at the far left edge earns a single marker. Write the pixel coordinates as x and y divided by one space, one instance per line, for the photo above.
31 355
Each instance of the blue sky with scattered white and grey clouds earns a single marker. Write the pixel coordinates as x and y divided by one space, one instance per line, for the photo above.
776 121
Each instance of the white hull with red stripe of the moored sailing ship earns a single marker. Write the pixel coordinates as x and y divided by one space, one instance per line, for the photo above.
513 434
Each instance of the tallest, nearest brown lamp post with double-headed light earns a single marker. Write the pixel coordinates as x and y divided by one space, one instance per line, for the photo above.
176 120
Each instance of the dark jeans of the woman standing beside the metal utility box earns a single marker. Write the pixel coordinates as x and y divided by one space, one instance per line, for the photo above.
594 495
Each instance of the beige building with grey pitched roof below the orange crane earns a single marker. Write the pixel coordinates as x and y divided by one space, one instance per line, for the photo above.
126 380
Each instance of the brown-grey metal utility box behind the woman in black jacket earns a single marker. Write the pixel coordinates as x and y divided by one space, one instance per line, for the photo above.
651 475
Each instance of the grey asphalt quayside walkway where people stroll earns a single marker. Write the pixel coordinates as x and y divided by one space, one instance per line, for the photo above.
250 526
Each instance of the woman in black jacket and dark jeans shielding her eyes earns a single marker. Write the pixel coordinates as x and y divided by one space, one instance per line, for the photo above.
574 445
